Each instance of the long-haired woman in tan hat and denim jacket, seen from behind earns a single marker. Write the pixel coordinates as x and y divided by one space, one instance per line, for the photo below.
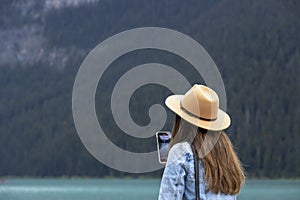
199 125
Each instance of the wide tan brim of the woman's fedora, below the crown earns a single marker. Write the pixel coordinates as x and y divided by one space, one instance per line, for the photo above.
222 121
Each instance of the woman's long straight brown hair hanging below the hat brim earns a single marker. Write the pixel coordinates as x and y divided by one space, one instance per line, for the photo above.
223 170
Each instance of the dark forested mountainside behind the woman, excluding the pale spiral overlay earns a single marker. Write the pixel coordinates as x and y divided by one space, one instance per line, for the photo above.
255 44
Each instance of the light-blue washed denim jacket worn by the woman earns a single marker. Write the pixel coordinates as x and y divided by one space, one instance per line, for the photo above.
178 181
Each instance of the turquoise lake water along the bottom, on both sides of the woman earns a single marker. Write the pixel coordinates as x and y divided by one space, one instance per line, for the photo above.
113 189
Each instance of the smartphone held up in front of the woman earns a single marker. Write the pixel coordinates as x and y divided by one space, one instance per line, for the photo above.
163 139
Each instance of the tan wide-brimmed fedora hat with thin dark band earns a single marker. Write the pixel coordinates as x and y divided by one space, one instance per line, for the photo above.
200 107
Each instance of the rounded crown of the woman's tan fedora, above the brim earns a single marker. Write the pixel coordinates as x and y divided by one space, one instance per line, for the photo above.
202 102
